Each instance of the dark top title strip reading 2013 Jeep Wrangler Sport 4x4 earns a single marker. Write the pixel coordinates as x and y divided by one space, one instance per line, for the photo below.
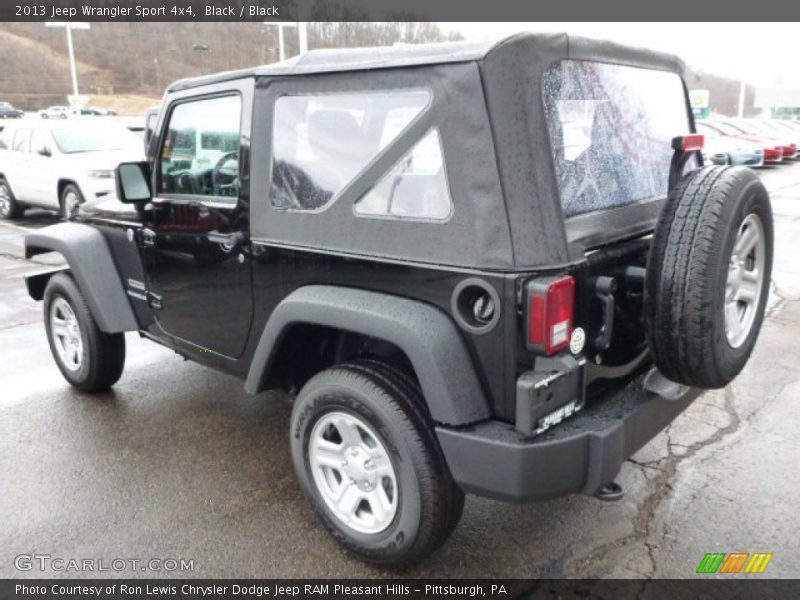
394 10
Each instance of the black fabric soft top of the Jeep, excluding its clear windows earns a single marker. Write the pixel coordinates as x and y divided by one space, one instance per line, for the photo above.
488 107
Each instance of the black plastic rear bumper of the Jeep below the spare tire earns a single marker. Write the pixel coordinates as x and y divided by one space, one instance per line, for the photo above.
581 455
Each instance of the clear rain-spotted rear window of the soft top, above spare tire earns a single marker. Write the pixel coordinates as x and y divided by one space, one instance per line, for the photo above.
610 129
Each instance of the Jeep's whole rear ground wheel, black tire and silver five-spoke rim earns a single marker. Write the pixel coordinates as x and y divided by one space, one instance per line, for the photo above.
366 456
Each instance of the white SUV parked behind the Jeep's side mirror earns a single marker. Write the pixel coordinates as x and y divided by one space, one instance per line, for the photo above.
59 165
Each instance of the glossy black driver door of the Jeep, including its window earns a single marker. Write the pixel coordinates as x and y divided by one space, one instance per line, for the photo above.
195 239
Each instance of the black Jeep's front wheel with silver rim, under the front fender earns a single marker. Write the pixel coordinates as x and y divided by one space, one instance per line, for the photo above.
88 358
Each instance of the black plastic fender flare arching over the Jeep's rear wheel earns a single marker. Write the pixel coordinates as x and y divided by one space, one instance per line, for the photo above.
426 334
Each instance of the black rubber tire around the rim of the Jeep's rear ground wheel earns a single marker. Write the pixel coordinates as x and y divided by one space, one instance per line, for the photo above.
429 502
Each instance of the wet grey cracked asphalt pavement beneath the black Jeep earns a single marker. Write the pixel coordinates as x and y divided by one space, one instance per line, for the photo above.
177 462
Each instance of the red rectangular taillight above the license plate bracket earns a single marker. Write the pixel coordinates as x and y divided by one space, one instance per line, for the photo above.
551 313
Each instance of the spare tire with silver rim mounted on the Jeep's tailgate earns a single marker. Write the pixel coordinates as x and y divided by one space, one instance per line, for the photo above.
708 276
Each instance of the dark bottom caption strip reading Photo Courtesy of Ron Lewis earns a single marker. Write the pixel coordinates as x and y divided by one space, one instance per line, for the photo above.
396 589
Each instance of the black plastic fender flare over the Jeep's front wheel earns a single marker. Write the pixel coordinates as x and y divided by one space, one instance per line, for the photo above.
90 261
